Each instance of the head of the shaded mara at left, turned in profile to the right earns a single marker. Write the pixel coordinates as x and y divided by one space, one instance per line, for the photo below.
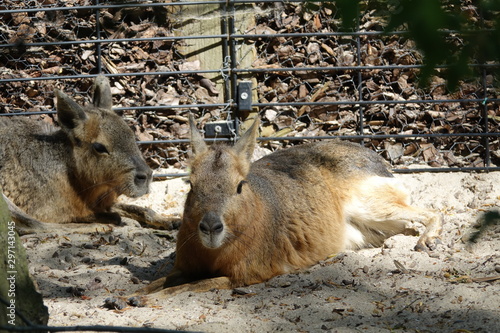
104 150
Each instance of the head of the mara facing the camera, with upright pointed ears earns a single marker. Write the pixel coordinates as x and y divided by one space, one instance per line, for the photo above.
218 186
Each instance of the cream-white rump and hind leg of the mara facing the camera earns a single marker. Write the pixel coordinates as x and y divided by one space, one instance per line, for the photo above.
379 208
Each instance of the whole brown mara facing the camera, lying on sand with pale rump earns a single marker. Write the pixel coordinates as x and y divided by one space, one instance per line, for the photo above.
246 222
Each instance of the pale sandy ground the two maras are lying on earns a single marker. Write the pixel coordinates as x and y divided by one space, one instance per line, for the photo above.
386 289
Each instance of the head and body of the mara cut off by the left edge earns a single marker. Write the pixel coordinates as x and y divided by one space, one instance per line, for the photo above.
63 174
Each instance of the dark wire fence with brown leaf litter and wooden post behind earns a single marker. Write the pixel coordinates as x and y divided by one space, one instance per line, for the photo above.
223 61
